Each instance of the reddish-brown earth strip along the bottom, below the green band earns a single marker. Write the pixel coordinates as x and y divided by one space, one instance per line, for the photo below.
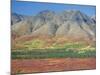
48 65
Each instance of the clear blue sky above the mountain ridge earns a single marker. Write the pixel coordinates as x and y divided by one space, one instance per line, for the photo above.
32 8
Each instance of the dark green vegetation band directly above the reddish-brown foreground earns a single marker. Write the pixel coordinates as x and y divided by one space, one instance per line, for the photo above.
51 53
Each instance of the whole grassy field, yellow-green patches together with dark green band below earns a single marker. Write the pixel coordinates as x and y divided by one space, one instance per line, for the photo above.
37 49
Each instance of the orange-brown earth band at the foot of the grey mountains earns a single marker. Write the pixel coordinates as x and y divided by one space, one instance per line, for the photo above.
18 43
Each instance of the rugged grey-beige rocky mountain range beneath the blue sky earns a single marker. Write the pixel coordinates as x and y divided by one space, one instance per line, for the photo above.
68 23
